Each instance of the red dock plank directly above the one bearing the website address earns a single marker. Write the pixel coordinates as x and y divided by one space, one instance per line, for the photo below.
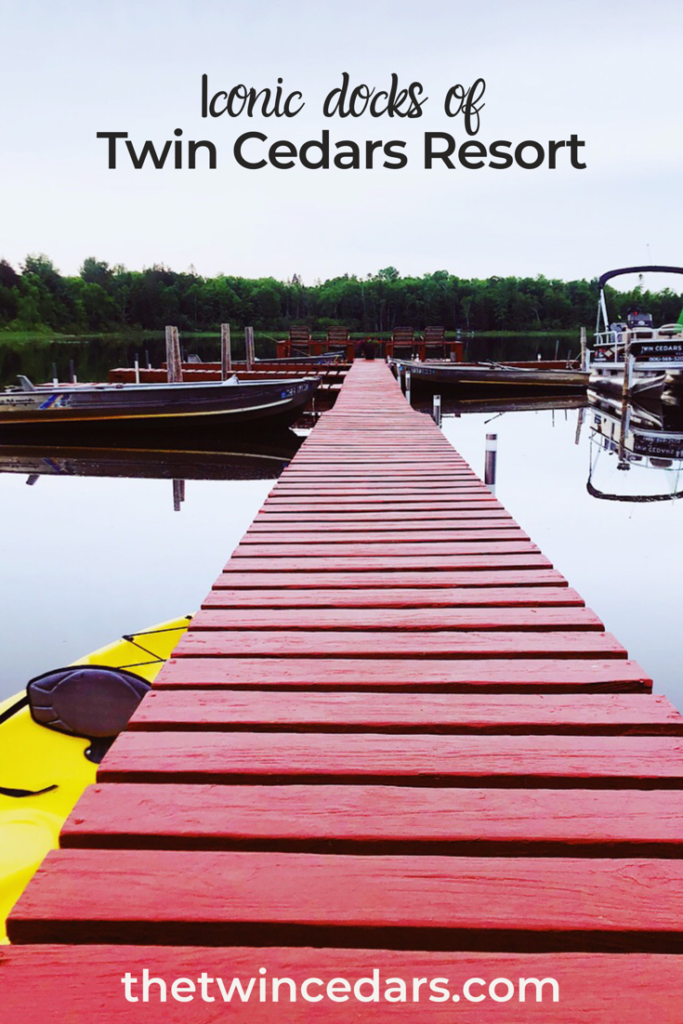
227 899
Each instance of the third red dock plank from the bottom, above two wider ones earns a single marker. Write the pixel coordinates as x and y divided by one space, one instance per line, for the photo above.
348 820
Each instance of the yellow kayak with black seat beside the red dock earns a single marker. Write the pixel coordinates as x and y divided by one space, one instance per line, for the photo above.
44 772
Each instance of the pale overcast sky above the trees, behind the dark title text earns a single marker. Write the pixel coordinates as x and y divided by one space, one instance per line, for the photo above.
612 73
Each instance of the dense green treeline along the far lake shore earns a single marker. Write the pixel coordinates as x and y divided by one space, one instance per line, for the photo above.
105 298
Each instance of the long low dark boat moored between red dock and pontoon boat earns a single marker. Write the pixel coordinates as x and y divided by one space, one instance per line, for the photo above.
492 376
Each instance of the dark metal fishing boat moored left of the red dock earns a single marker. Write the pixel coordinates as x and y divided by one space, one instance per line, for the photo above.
230 402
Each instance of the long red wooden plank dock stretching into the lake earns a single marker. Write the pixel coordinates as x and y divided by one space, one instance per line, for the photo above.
394 737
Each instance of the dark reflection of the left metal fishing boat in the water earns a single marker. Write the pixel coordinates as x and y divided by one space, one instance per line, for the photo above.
198 457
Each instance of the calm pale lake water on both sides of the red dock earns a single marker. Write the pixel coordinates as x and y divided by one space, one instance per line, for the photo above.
87 559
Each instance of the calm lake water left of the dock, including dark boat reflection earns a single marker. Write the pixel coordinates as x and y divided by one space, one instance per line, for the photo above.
95 548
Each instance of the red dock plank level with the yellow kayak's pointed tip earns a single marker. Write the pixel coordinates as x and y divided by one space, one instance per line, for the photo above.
438 620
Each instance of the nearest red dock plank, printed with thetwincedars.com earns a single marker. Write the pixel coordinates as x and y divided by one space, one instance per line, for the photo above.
592 989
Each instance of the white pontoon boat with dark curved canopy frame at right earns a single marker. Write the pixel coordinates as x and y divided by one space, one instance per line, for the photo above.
634 348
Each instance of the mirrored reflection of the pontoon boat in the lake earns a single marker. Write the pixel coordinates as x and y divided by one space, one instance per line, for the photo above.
647 441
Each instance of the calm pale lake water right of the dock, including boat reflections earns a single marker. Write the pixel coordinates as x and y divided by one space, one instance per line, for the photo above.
625 558
